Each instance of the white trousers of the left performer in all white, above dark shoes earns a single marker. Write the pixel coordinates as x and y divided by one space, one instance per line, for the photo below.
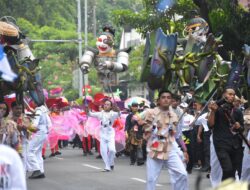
35 160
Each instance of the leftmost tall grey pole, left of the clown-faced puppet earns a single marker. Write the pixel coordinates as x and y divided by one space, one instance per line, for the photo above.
79 28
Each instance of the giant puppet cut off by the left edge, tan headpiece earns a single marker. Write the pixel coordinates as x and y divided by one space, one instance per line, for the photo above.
18 67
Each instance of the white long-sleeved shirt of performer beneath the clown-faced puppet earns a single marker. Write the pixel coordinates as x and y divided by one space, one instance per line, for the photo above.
106 119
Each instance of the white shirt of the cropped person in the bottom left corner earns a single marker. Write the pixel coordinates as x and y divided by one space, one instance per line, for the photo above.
12 175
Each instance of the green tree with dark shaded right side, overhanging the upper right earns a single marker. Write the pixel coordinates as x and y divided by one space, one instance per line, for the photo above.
224 17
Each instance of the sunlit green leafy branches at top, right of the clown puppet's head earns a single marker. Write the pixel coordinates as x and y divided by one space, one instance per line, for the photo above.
148 19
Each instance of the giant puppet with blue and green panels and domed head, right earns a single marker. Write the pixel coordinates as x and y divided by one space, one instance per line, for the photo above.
193 62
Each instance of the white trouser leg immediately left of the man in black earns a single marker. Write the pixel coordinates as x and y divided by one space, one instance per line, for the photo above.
216 170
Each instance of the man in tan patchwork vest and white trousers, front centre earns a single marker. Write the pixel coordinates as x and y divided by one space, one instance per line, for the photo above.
159 129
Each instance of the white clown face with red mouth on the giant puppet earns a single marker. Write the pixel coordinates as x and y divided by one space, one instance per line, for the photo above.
104 43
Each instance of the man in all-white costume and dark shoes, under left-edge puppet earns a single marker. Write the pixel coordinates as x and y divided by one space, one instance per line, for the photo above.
35 160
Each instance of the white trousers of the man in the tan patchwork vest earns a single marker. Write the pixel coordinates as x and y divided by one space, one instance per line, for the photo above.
176 168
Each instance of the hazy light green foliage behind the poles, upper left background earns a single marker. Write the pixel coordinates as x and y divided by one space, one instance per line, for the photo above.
57 19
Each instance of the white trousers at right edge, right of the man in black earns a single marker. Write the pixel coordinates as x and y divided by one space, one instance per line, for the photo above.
245 176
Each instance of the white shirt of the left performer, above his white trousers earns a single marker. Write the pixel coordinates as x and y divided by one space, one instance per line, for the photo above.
42 120
